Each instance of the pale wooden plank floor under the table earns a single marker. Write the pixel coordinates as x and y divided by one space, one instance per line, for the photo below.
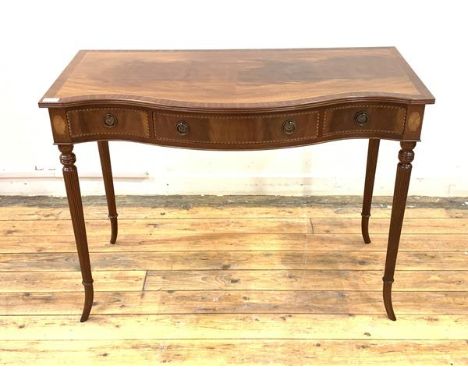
235 281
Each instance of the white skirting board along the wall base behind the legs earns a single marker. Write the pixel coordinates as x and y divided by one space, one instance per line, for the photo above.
142 184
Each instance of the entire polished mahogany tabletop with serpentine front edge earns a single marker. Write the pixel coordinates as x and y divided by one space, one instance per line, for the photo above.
236 79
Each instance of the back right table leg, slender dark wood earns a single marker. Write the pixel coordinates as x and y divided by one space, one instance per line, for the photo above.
372 155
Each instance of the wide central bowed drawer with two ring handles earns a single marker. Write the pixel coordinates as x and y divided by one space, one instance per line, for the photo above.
240 131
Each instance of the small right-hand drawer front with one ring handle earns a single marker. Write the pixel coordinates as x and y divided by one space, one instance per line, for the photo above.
364 120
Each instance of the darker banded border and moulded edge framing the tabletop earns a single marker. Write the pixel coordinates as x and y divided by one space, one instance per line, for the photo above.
425 96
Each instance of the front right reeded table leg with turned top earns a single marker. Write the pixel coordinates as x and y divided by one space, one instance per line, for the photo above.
406 156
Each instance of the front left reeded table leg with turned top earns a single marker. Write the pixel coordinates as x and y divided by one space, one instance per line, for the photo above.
72 185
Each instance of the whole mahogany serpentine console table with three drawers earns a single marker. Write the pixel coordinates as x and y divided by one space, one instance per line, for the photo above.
237 100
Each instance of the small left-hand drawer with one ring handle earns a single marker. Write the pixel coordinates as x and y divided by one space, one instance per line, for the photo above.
108 123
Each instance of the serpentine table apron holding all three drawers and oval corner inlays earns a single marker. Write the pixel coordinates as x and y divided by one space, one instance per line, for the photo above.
237 131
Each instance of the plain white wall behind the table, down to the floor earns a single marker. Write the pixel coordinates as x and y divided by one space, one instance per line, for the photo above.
38 38
